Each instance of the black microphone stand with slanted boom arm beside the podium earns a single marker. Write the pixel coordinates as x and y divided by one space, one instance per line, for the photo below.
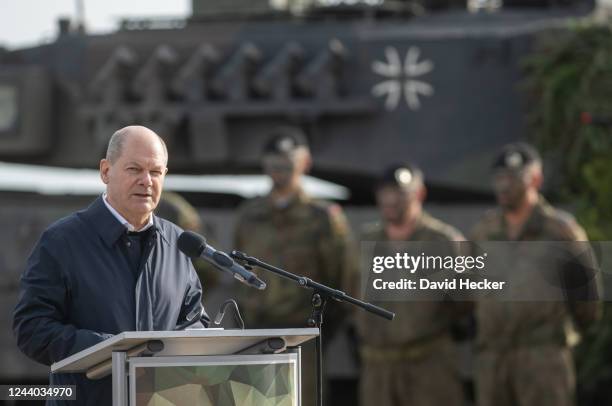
320 297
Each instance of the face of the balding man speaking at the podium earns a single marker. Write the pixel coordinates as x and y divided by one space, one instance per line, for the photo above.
135 180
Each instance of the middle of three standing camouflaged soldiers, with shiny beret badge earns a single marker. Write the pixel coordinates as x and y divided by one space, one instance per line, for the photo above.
411 360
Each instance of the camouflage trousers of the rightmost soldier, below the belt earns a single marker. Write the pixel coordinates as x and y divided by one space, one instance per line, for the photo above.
532 376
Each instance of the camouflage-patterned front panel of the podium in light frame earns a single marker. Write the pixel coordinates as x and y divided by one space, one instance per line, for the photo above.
228 380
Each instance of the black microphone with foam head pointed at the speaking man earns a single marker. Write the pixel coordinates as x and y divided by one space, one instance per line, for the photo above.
194 245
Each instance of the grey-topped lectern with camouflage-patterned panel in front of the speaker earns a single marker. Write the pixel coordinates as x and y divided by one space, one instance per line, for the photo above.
198 367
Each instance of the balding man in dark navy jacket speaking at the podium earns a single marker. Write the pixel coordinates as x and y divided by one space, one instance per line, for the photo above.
110 268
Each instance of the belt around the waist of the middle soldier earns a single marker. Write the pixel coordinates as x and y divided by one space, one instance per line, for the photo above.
408 352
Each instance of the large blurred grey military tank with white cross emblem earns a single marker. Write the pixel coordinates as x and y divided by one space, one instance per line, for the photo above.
370 82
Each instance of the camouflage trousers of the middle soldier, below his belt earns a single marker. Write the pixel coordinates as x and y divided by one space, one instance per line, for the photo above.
431 380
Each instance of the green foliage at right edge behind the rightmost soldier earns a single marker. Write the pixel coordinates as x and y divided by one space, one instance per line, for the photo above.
569 80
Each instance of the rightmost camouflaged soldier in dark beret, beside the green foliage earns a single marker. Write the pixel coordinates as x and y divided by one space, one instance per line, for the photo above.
523 353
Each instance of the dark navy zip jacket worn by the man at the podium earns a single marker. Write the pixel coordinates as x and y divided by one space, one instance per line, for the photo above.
79 289
